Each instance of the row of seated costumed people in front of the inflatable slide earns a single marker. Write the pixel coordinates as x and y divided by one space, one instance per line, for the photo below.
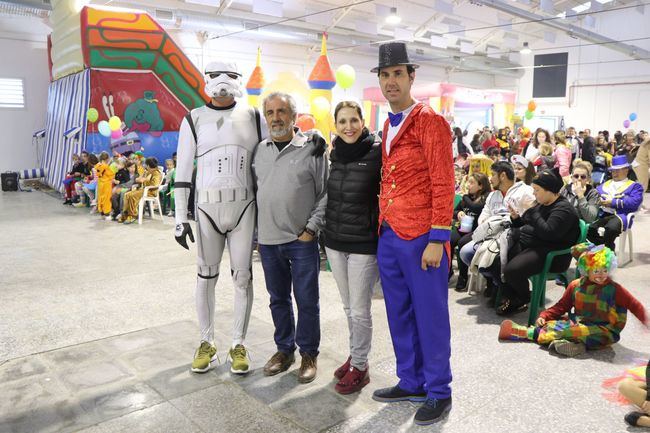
112 187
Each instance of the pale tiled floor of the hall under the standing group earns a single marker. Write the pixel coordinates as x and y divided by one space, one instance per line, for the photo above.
97 330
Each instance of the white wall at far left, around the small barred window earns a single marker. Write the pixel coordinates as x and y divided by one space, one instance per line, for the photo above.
26 60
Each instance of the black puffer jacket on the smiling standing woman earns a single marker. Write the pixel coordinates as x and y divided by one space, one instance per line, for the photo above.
352 214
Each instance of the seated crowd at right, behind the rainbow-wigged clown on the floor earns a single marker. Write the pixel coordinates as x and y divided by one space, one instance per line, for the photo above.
521 196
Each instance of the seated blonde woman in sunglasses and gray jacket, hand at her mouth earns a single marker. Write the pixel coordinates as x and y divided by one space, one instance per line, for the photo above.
581 193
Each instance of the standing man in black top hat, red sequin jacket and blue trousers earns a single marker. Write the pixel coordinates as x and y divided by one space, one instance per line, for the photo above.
416 206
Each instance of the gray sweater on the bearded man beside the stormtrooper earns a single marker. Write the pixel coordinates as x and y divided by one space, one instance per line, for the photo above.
291 189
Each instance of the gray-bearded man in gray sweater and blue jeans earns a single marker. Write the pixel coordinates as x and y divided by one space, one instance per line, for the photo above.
291 176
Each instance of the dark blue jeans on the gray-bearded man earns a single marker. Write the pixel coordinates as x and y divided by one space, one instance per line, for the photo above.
295 263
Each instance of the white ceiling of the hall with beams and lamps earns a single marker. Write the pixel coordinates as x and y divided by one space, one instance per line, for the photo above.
355 26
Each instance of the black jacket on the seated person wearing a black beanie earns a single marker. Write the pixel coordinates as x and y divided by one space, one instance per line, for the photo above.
553 227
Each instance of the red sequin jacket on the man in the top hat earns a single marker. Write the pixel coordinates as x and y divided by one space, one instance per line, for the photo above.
417 182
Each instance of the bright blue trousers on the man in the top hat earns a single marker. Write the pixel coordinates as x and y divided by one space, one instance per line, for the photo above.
418 315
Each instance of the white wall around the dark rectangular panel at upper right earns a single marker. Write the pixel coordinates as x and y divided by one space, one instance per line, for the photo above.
607 98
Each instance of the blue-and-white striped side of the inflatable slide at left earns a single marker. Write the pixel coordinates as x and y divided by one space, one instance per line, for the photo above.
67 104
